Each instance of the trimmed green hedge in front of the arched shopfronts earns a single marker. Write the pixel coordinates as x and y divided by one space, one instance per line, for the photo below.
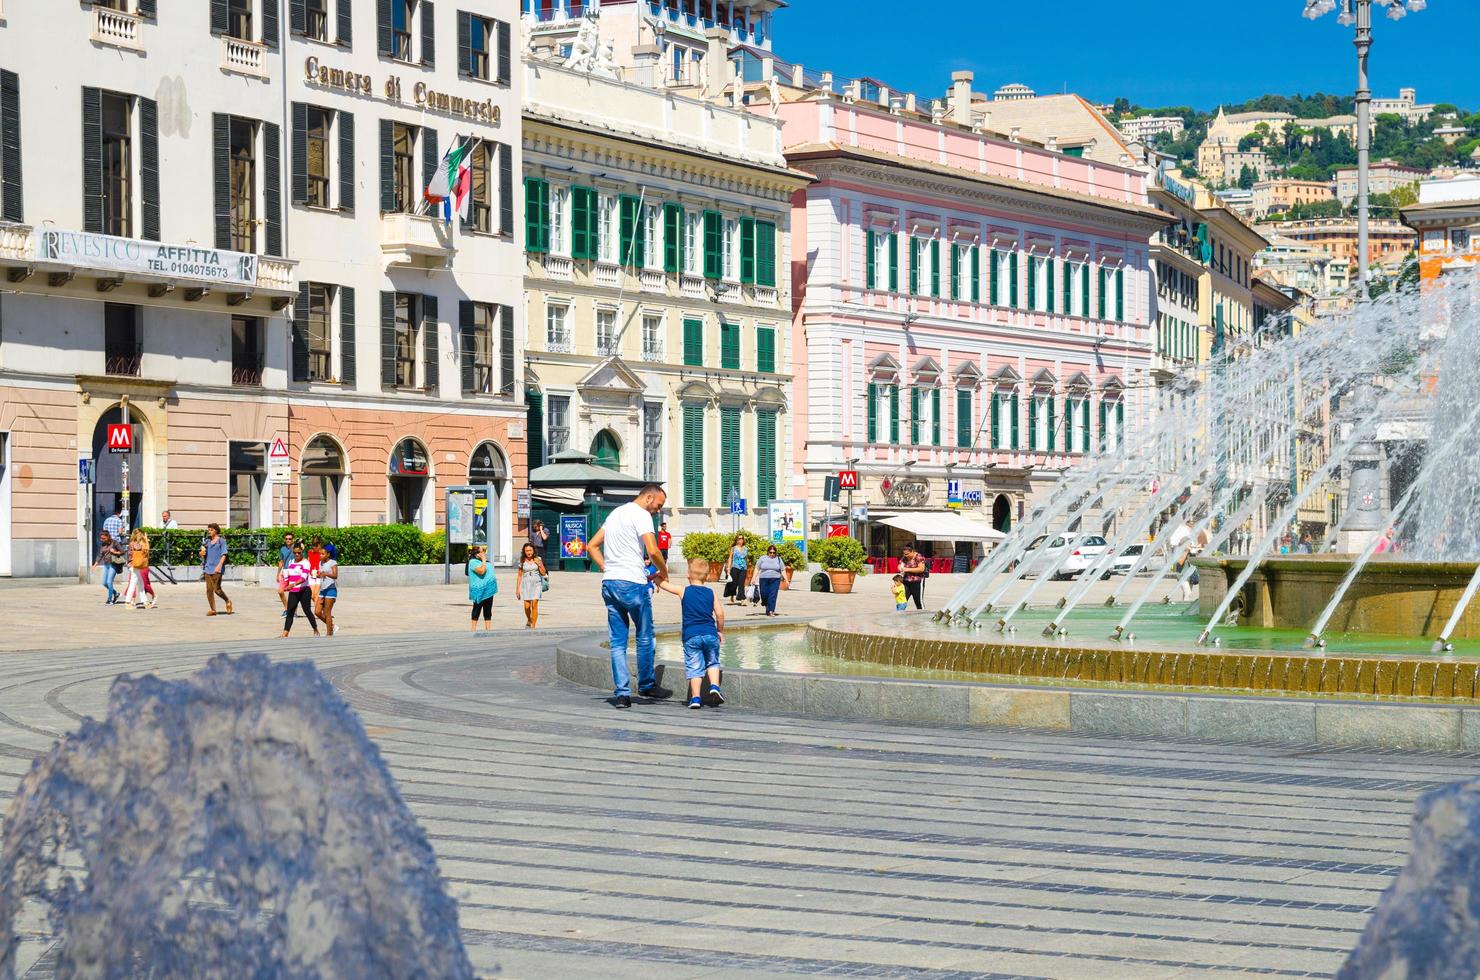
362 546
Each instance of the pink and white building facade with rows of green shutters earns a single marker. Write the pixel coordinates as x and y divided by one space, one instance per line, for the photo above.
973 313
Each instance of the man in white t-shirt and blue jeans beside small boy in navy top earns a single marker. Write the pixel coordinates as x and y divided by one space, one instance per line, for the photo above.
622 550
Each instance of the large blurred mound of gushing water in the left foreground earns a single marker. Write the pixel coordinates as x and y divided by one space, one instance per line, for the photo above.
240 816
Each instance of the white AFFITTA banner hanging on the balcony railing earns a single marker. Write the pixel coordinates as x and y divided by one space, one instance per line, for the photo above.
147 258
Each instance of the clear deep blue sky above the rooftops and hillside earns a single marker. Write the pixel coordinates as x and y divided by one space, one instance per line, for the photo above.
1177 54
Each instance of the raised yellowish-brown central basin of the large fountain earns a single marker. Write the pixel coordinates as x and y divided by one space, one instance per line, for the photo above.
1402 599
